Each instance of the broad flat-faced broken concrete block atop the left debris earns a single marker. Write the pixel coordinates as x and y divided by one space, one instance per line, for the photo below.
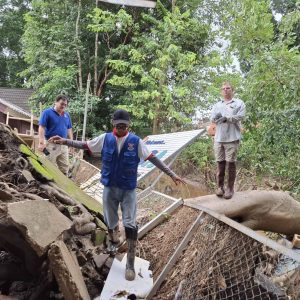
40 222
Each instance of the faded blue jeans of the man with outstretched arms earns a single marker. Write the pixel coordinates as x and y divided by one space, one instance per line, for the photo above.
112 197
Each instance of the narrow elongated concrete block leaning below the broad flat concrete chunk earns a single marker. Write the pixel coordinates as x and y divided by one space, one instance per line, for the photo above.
67 272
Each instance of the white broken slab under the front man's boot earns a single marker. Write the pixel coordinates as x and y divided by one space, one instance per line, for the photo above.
118 288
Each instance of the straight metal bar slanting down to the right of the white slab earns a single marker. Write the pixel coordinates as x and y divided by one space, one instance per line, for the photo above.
174 257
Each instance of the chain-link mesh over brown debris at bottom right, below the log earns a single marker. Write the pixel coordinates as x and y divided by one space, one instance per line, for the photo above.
227 264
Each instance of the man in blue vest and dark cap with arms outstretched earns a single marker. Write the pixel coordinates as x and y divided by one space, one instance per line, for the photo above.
121 152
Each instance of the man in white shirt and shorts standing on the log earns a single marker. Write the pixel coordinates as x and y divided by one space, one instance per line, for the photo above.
227 114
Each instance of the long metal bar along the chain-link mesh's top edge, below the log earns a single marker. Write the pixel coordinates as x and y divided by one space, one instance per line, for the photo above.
249 232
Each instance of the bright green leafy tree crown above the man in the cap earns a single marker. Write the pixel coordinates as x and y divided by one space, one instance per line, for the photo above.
155 71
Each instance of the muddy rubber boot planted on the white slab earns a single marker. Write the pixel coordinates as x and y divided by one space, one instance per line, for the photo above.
131 237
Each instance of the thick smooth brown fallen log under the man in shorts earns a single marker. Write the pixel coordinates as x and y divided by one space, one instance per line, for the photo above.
259 210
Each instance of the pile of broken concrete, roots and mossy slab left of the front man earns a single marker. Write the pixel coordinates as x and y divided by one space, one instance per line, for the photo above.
51 245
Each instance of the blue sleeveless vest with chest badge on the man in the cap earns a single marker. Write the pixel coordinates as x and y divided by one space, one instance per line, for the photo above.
120 169
